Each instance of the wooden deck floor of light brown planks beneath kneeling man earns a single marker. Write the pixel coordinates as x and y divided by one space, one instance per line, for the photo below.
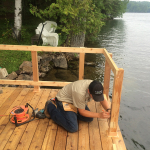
44 134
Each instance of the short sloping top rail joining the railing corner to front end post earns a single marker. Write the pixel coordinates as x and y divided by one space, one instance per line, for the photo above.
111 63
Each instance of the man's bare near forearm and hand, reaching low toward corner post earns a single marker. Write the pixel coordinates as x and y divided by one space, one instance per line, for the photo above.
90 114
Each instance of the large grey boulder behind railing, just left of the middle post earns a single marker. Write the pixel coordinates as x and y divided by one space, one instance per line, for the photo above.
60 62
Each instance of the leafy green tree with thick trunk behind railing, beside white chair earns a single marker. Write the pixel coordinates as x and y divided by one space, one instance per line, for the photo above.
73 17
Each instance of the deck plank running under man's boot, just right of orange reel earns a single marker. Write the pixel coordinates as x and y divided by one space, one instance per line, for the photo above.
42 126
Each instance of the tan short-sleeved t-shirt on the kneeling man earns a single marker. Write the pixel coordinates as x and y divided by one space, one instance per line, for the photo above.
75 93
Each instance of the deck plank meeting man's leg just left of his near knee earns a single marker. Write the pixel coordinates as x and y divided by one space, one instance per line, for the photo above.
61 138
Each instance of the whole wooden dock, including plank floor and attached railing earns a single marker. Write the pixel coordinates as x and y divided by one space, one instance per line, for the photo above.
44 134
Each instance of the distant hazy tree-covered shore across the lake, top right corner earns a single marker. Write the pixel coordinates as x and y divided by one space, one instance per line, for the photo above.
141 7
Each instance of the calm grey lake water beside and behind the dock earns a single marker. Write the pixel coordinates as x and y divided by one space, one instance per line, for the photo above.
128 39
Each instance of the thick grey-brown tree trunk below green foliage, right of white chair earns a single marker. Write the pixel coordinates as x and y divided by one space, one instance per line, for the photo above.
77 40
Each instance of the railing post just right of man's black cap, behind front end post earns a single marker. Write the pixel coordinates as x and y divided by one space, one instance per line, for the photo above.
107 77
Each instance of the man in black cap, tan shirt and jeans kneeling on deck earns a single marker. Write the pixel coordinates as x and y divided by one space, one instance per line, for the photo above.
70 104
